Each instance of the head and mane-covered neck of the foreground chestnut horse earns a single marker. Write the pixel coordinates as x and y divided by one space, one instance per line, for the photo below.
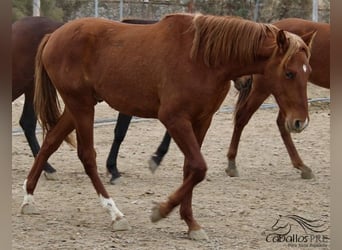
282 57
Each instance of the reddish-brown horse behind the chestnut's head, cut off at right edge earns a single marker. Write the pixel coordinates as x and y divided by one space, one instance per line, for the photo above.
251 96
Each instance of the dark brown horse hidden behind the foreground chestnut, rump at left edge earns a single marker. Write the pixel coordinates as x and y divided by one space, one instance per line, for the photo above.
26 36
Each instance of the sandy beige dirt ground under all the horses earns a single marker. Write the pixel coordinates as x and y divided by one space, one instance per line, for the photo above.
236 213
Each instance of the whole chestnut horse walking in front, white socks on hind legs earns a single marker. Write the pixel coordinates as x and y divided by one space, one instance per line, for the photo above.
176 70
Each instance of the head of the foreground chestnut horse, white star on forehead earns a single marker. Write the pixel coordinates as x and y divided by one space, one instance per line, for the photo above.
287 73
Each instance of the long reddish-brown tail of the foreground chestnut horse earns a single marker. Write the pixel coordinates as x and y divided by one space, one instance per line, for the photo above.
46 102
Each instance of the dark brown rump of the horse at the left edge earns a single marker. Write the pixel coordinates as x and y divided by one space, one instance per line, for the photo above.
26 36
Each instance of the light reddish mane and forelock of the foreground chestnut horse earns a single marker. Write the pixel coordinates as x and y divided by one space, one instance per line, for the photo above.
223 37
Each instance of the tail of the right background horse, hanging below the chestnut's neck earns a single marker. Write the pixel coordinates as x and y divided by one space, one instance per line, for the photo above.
244 86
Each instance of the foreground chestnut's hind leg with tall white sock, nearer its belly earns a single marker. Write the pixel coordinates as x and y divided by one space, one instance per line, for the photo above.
84 119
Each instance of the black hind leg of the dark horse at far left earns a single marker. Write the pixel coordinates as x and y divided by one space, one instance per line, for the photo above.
28 122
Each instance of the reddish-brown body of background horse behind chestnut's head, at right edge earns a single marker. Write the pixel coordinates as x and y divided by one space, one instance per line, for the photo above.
320 52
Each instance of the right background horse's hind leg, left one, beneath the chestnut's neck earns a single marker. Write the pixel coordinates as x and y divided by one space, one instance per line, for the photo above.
243 114
